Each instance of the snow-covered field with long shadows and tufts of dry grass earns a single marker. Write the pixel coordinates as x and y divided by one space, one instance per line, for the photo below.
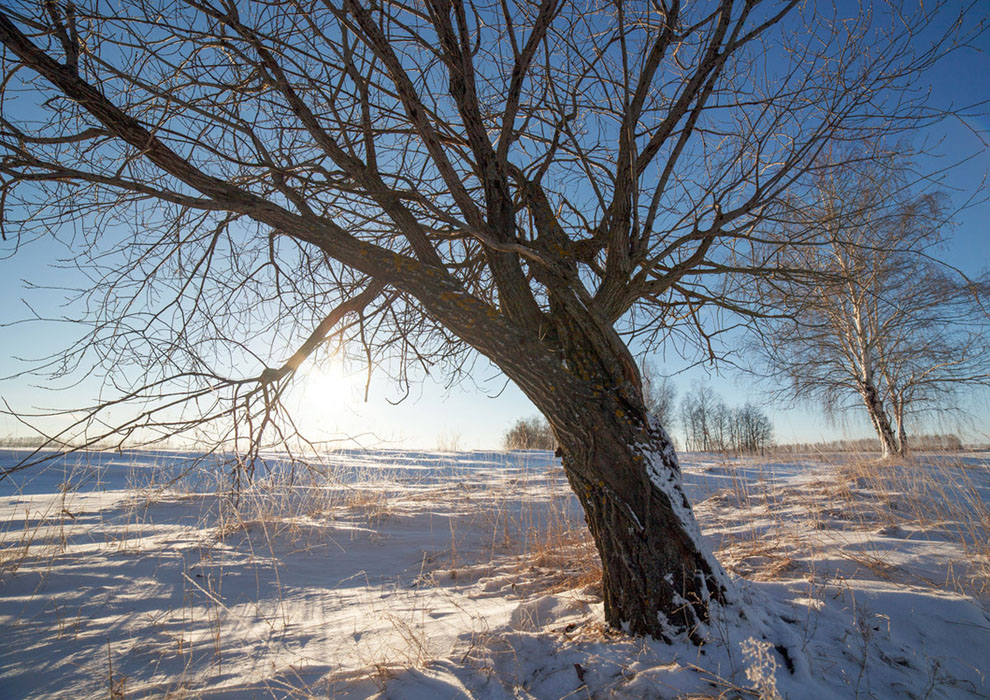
469 575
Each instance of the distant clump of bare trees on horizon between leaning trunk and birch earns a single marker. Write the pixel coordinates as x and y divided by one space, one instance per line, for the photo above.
712 426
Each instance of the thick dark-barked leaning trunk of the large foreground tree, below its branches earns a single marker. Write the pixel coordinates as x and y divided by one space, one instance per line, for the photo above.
658 577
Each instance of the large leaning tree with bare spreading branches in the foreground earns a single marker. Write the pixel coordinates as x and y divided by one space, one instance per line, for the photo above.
533 181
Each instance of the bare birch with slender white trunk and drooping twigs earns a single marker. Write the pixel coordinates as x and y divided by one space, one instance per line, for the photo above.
884 325
